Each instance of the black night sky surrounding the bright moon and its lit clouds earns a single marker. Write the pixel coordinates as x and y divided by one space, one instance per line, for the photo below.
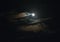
44 7
